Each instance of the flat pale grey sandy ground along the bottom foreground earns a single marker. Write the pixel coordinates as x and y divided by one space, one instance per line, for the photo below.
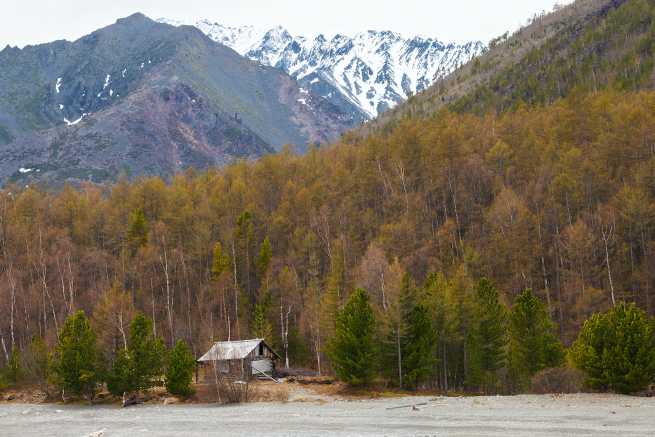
569 415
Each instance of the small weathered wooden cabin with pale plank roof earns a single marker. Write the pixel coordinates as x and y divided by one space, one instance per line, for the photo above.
243 359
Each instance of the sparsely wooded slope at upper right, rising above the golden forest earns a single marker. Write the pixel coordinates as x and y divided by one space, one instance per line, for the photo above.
587 46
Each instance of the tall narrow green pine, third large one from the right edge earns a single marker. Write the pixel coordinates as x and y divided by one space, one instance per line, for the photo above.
487 339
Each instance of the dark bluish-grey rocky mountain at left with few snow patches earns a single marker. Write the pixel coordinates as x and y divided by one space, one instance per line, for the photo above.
145 98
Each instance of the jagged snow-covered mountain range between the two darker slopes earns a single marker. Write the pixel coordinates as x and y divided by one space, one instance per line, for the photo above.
370 71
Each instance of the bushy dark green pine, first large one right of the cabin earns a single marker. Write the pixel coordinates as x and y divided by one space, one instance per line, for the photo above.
352 350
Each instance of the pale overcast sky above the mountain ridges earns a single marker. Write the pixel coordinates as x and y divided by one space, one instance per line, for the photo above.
35 21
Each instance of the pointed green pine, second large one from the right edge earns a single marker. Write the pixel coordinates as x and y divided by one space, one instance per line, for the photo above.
533 344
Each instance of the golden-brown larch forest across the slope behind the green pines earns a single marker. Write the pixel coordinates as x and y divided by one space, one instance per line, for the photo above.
557 199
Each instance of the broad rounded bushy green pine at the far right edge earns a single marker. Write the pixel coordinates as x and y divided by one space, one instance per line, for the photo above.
617 350
